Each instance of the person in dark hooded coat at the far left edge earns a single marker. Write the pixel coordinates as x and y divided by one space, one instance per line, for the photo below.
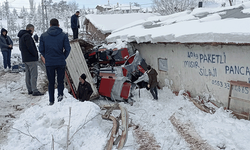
6 46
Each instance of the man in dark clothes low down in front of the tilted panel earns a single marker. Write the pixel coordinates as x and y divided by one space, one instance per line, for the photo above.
84 89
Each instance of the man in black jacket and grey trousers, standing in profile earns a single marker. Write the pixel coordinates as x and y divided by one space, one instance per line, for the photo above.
30 59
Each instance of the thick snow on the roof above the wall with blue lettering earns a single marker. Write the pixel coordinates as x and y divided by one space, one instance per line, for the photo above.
224 24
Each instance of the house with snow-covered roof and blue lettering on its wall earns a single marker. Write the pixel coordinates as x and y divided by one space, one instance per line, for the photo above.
204 51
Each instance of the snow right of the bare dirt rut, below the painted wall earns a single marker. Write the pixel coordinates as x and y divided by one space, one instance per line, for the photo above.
217 128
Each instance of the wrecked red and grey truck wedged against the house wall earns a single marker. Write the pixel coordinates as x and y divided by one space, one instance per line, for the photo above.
112 73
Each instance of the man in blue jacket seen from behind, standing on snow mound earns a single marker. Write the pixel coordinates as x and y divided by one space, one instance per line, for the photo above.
55 48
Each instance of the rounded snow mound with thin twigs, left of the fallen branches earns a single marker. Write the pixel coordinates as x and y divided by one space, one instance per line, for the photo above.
36 126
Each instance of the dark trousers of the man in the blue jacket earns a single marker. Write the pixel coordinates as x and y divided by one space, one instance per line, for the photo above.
51 74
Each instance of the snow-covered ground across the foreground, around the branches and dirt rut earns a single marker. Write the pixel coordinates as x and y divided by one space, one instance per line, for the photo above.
36 123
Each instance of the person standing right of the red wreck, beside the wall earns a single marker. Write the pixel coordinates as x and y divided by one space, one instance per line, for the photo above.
152 83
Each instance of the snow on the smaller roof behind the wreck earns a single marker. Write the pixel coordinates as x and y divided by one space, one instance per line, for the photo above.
109 22
